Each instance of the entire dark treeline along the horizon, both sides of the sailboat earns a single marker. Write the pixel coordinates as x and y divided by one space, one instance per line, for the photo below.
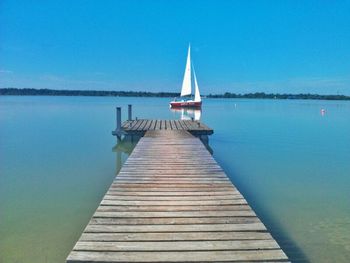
257 95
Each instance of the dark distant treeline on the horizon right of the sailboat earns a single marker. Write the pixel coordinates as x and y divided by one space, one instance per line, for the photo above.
262 95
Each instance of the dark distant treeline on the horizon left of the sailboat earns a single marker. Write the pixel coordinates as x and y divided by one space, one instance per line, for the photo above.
52 92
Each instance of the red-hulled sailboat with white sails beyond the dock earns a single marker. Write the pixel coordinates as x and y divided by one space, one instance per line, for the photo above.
186 91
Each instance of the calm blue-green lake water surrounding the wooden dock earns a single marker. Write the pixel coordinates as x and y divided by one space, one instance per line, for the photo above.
58 157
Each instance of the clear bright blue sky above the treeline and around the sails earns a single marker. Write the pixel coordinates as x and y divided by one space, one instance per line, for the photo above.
238 46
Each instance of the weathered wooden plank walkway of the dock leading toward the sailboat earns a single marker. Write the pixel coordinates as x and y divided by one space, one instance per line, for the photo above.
171 202
